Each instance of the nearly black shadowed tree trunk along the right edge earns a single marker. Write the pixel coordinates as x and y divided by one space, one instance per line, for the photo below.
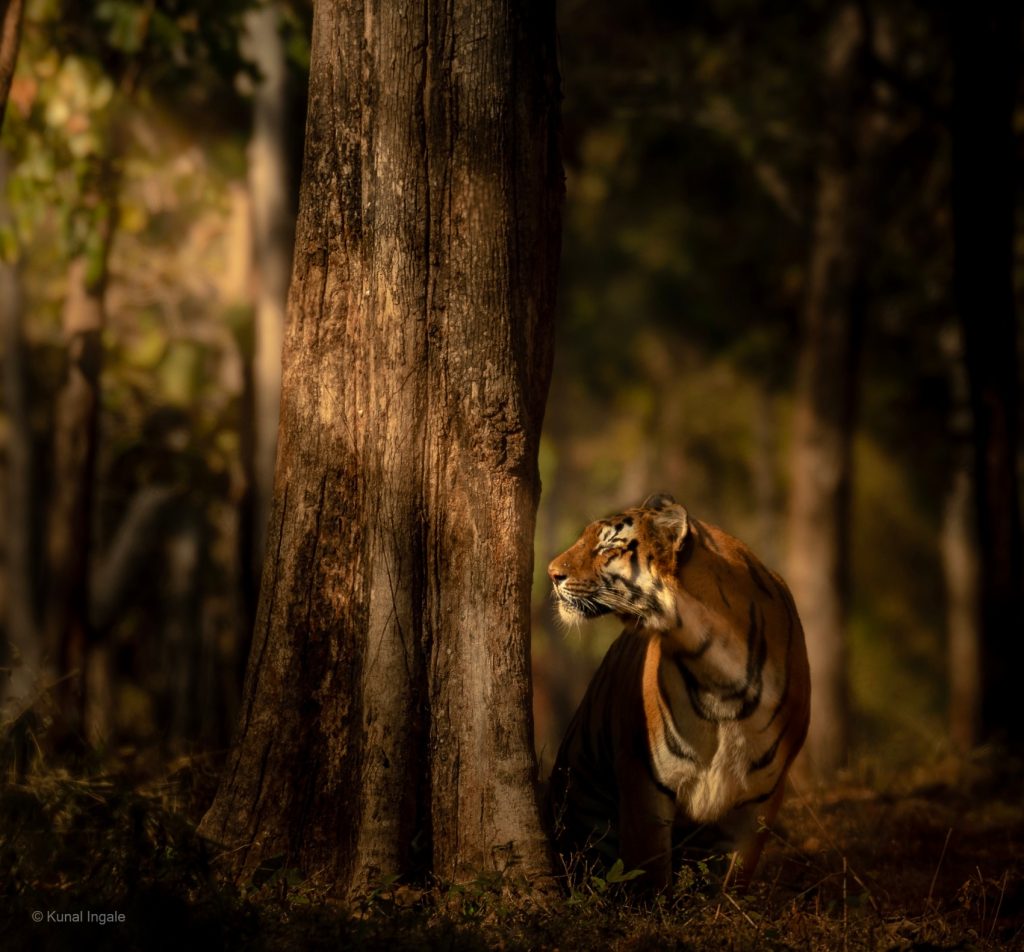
987 51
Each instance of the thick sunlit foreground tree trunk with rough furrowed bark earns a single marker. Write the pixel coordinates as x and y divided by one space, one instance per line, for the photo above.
387 721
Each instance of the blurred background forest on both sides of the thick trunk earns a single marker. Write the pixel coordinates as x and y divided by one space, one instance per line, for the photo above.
151 156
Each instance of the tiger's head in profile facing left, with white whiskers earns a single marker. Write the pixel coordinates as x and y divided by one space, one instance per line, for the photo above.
626 565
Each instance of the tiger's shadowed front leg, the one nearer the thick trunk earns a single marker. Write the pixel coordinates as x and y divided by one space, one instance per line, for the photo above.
646 818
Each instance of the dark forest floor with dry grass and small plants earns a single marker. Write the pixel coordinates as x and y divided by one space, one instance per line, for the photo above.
931 858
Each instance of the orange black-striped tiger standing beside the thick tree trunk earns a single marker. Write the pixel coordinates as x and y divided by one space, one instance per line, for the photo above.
689 729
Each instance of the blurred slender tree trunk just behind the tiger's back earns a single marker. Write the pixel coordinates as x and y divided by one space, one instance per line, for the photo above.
826 401
